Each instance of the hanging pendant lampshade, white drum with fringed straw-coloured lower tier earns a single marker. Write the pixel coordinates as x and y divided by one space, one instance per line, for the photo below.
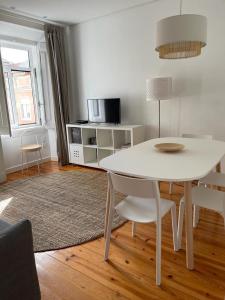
181 36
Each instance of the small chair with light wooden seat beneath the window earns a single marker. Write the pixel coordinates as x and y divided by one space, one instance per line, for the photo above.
26 148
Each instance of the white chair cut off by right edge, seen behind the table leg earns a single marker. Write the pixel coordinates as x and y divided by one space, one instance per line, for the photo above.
202 197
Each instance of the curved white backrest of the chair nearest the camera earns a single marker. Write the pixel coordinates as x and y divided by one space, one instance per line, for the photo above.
136 187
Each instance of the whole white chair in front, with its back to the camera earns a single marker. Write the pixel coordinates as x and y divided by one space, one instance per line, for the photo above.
144 205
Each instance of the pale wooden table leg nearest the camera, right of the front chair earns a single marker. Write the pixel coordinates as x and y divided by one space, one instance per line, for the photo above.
188 223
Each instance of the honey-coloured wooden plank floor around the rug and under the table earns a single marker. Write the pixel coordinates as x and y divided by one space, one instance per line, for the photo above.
79 273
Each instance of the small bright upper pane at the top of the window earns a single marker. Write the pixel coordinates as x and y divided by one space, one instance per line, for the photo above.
15 58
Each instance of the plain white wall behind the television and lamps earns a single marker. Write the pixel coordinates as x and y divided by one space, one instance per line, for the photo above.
115 54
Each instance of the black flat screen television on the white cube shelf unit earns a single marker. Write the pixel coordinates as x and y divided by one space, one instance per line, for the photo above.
104 110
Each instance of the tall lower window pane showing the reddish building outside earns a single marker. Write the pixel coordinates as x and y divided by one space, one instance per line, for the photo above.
24 98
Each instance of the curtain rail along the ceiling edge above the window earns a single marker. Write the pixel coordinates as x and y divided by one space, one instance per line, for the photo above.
25 19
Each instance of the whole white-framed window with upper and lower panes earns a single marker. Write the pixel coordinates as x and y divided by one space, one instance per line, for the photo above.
21 84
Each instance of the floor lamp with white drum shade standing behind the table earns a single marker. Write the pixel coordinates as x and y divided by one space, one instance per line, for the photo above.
157 89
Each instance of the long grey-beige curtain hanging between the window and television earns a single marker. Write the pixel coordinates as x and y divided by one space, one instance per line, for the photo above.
55 39
